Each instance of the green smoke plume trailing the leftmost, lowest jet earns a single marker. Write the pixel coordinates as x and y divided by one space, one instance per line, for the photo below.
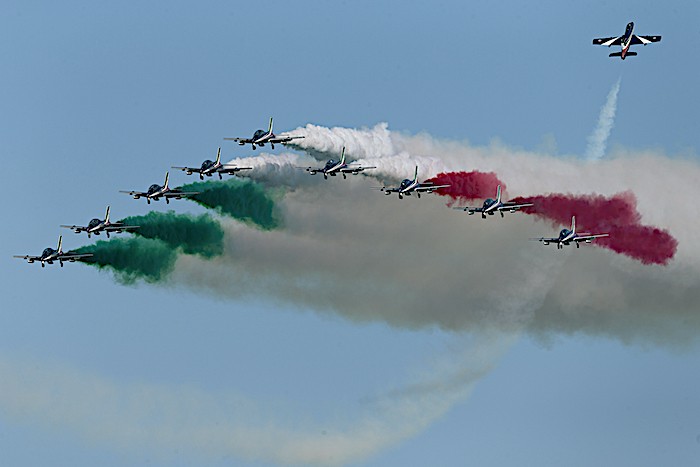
132 258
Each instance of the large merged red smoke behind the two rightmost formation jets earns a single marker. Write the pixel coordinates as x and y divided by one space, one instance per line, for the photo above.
617 216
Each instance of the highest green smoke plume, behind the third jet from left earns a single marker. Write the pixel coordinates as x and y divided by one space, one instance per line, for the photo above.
242 199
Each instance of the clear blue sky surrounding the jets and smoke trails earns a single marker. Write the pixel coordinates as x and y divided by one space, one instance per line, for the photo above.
104 96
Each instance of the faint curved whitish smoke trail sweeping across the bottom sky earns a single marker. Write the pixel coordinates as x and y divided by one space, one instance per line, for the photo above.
198 425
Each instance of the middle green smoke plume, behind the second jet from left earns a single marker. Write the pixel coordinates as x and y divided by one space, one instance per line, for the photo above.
201 235
